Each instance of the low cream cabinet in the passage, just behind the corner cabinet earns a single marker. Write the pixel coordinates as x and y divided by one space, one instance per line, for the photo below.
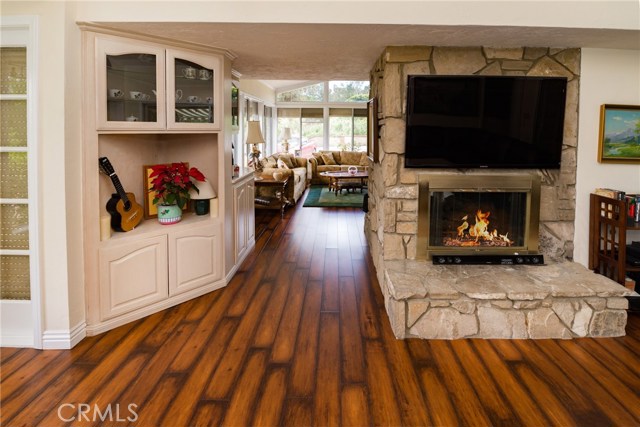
244 216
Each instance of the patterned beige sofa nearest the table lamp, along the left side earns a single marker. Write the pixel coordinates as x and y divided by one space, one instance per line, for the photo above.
296 168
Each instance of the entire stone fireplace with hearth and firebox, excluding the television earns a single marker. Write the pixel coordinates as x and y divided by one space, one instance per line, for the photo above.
561 299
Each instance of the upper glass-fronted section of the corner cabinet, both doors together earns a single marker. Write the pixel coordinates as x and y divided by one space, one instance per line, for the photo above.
143 86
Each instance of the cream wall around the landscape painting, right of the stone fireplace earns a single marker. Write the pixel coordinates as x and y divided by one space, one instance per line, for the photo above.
609 76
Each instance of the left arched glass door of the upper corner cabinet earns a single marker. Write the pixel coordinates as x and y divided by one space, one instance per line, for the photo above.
130 86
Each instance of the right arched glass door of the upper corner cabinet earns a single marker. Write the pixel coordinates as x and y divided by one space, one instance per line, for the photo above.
191 91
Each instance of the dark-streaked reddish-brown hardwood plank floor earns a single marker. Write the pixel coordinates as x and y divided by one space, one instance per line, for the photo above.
300 337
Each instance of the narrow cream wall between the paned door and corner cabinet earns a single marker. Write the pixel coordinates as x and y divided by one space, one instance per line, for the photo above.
62 292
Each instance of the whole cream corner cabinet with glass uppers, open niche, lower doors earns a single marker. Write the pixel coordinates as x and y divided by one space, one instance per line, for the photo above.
150 103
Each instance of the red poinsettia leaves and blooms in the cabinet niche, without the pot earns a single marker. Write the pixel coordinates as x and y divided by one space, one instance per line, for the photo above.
171 183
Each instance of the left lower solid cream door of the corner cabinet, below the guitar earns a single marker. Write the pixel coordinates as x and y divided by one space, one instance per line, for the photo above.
132 276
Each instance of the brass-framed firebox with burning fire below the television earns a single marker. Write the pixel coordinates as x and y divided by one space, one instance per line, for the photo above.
477 214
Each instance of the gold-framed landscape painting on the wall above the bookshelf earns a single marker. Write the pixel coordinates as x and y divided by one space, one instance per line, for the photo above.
619 134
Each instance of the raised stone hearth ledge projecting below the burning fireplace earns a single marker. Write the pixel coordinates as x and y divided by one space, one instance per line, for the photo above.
560 300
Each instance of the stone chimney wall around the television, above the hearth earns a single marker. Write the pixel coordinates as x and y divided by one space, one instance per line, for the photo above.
391 223
